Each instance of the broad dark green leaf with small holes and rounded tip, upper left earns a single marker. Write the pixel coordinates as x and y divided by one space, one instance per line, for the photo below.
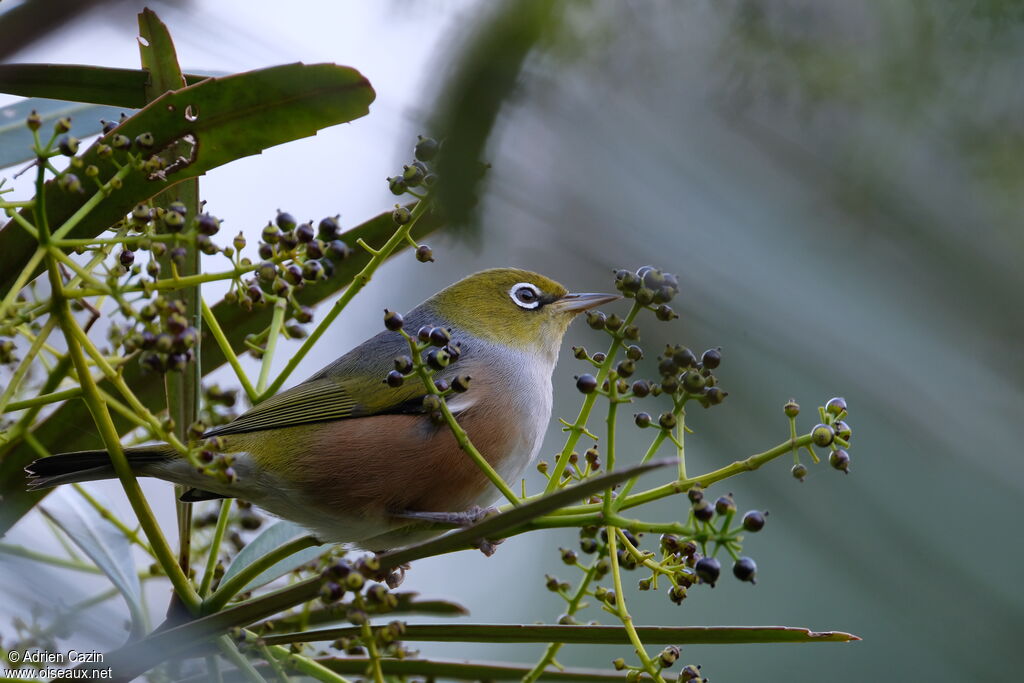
222 119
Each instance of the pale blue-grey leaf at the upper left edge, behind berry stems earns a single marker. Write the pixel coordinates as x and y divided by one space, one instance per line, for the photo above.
16 139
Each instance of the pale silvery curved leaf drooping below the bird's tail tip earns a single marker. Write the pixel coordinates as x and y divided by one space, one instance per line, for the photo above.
103 543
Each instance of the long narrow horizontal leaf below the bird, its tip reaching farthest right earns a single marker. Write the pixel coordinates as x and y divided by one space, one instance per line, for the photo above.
600 635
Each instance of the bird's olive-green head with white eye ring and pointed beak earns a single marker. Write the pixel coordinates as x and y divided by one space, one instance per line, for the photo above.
514 308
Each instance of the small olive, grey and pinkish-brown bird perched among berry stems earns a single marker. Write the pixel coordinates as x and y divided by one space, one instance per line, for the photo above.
358 461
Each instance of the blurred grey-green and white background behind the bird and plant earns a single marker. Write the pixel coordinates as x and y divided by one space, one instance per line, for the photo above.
838 186
